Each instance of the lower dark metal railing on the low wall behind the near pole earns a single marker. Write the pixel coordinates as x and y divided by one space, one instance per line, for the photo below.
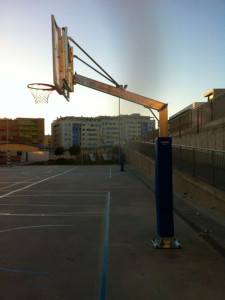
205 164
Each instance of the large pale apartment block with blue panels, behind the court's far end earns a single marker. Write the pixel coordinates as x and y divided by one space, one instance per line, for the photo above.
98 132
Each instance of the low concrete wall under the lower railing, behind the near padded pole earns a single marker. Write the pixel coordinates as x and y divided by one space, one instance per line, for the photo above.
182 182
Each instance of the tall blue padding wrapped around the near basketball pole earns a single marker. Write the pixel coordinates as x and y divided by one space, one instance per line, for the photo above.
164 187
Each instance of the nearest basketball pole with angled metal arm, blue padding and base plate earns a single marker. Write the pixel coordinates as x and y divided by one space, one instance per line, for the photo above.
163 163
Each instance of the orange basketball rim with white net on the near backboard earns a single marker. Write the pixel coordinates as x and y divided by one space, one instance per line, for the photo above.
41 92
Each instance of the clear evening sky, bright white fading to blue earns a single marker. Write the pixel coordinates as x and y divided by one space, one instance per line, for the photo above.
168 50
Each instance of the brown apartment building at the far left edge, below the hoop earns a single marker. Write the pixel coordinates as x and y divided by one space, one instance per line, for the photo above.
22 130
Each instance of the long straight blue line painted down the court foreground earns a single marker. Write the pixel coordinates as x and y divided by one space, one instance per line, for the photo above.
104 267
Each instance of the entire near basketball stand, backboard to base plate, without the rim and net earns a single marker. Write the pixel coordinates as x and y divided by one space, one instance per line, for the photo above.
65 79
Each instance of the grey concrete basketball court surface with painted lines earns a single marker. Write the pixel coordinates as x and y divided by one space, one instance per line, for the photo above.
84 232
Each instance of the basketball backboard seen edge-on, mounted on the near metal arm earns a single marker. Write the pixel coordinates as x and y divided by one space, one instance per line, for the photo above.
62 60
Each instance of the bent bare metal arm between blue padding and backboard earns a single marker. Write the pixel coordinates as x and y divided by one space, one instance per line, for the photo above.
129 96
